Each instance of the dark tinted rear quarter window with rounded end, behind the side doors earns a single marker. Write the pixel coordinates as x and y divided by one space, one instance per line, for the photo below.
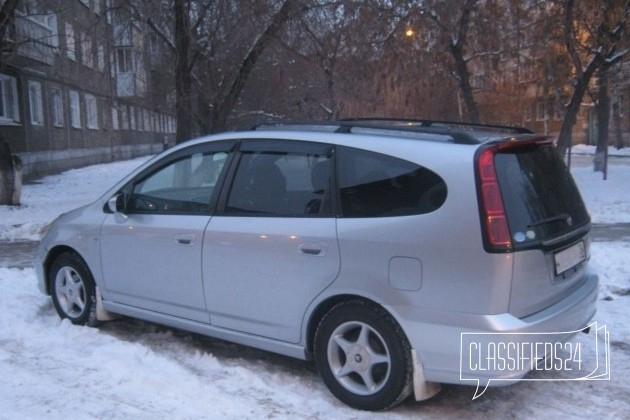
376 185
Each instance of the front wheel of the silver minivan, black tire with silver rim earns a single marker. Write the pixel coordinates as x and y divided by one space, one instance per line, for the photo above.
73 290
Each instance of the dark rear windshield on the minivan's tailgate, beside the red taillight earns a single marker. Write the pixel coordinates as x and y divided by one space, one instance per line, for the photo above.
541 199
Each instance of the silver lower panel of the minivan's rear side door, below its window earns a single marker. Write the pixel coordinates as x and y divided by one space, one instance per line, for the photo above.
260 273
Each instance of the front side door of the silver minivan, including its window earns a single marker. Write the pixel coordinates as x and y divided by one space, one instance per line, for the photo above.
151 251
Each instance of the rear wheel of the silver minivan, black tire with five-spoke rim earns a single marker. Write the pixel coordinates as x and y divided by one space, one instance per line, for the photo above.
363 356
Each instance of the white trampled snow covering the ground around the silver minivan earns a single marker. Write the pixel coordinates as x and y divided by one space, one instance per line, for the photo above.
132 369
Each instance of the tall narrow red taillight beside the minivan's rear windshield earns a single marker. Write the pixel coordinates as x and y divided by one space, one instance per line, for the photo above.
496 231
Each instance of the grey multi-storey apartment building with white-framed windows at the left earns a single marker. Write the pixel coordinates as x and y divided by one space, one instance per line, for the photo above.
79 85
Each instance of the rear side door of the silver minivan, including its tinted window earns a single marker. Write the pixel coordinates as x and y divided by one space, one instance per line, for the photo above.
272 246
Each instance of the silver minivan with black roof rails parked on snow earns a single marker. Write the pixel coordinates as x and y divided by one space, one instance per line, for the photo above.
368 246
